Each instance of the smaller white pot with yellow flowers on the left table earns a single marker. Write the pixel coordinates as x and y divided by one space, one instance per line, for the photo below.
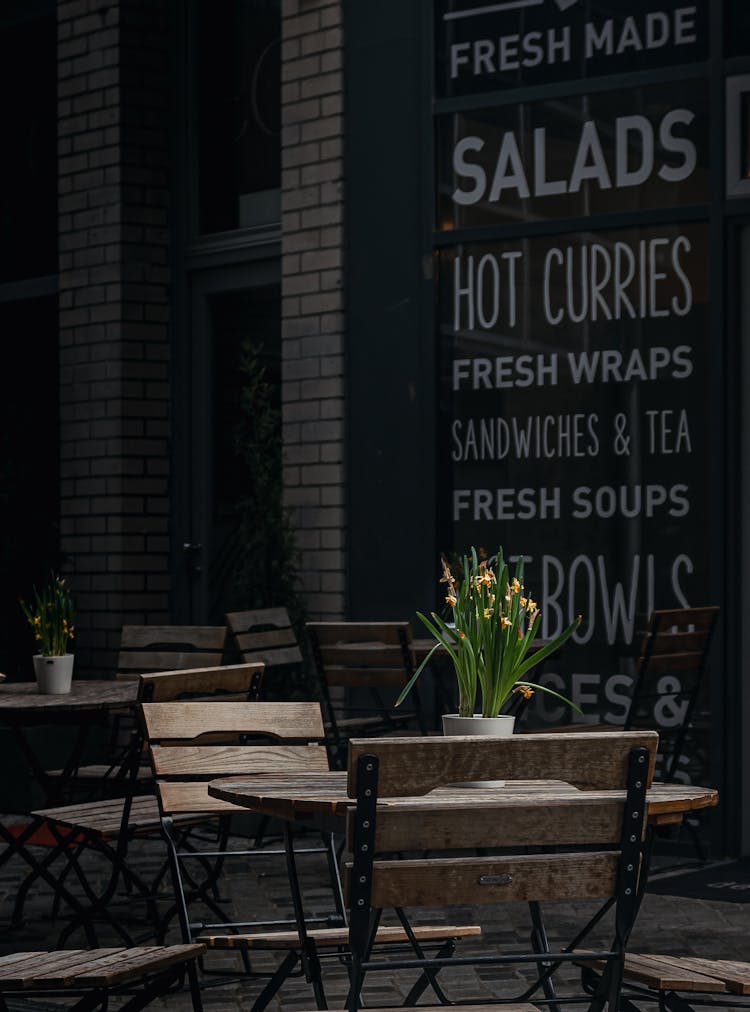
51 619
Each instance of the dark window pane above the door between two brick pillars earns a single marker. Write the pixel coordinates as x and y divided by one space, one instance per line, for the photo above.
239 114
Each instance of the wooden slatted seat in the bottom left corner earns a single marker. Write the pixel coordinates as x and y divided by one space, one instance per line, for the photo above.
147 973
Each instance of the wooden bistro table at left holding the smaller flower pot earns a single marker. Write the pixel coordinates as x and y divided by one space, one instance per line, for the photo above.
89 704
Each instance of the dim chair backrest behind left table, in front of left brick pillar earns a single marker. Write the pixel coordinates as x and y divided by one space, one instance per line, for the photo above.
169 648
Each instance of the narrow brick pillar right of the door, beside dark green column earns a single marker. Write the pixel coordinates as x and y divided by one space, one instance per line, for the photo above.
313 323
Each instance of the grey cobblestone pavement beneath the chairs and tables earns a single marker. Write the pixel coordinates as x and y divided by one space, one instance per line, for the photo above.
259 888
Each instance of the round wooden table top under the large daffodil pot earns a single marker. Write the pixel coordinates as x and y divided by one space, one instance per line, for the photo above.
310 797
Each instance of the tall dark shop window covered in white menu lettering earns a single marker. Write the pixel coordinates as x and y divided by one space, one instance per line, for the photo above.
577 362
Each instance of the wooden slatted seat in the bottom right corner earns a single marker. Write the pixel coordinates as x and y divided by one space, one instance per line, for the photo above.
661 975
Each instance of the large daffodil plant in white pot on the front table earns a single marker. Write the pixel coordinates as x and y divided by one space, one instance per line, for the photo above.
488 632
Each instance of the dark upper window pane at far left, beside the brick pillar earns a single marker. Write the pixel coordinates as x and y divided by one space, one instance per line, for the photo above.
29 162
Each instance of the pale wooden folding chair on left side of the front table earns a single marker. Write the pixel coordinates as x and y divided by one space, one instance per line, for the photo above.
184 769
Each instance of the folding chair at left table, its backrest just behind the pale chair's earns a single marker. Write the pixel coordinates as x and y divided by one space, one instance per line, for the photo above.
109 826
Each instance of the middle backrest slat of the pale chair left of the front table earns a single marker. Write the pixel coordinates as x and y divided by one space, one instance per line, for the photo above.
198 762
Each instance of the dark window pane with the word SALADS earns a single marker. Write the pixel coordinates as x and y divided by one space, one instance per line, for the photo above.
629 150
